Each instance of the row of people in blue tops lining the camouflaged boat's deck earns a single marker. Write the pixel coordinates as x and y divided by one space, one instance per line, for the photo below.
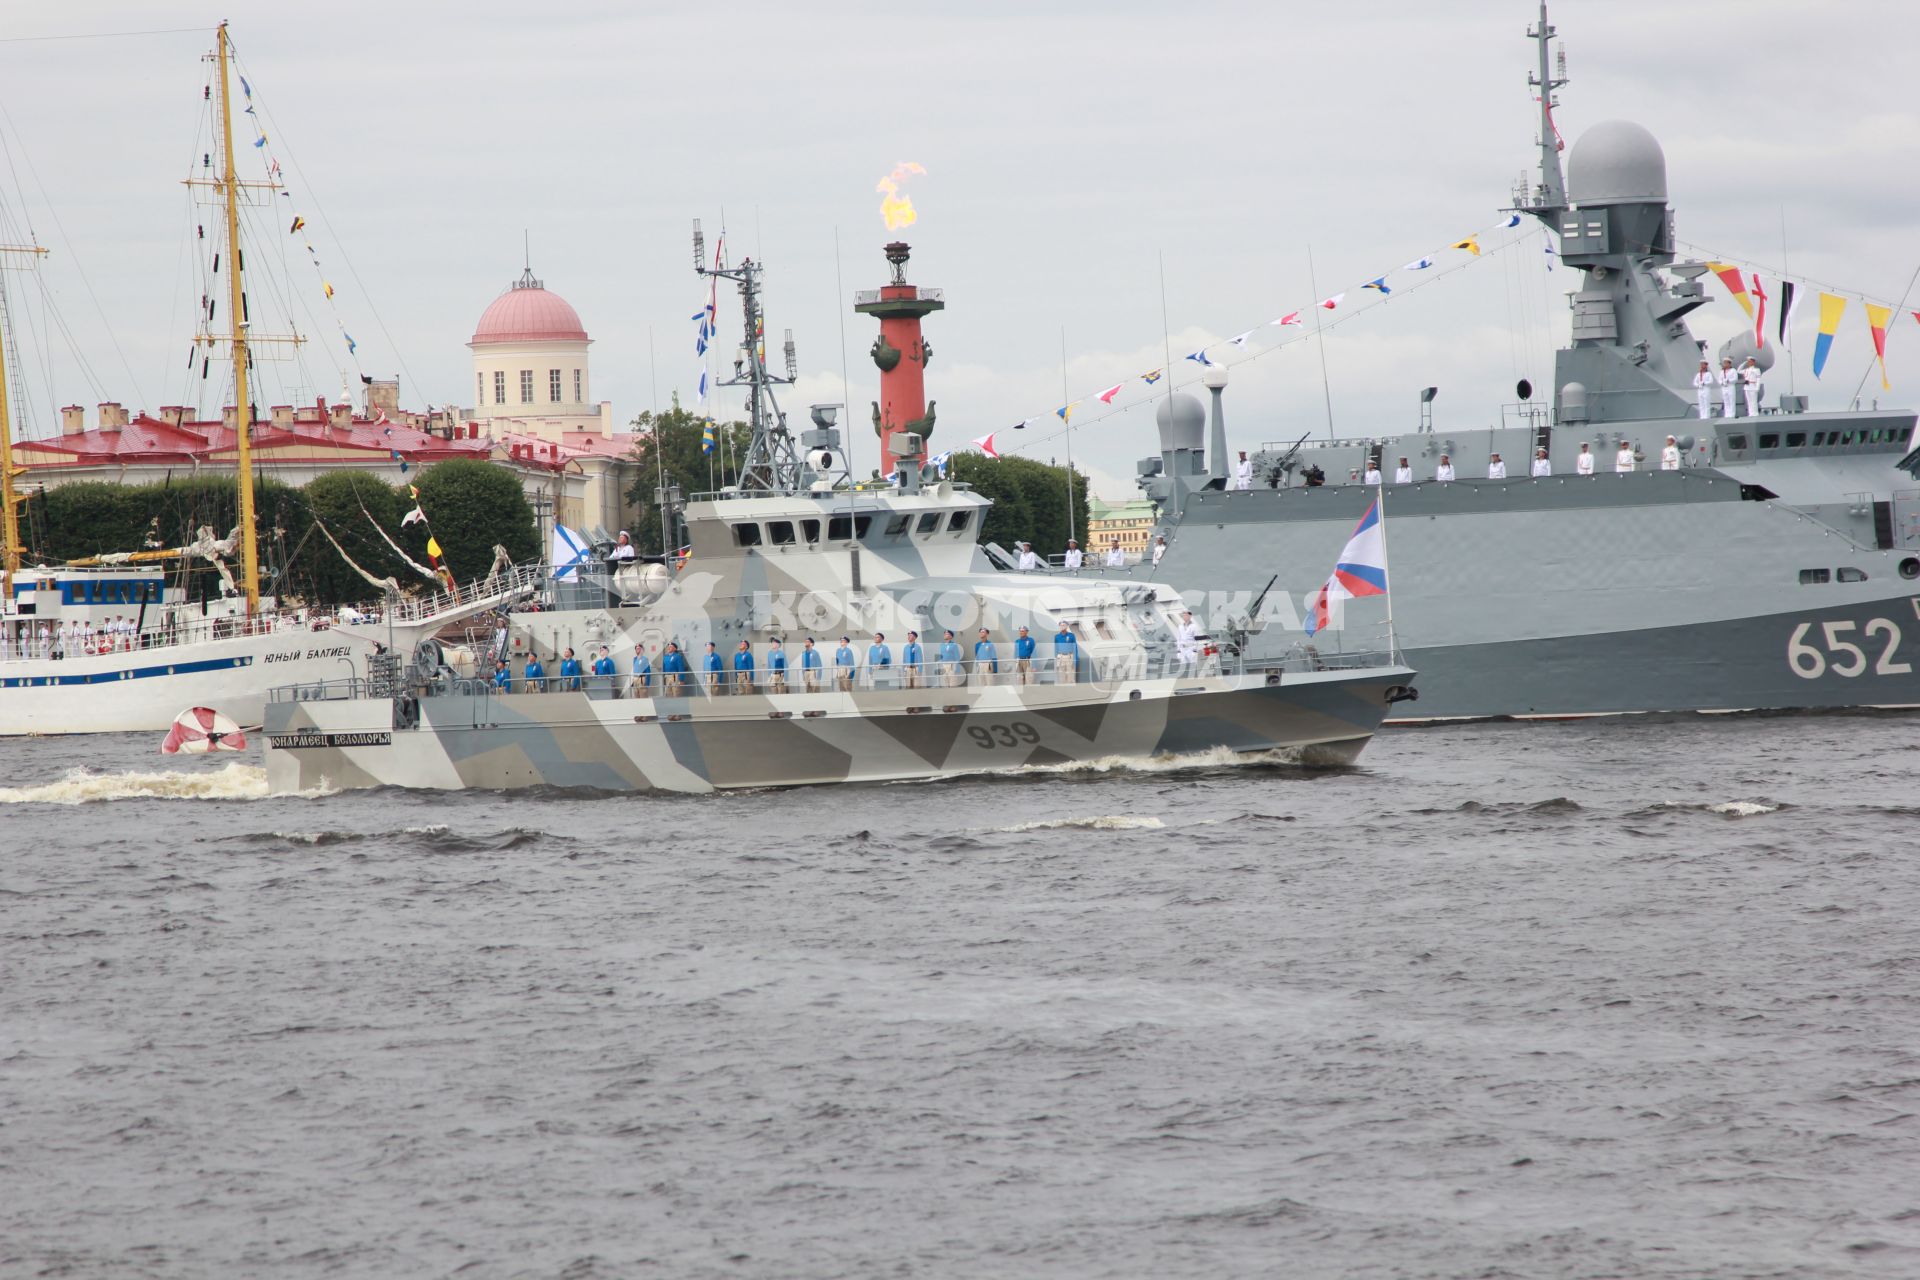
811 669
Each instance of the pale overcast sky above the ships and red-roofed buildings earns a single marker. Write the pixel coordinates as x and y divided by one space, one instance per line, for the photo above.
1107 185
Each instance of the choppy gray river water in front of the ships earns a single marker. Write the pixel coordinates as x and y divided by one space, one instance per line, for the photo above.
1508 1001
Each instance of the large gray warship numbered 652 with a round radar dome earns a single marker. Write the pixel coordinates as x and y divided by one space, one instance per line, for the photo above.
1775 567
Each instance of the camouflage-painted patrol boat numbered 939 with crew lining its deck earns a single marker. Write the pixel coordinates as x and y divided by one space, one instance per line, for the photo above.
800 554
